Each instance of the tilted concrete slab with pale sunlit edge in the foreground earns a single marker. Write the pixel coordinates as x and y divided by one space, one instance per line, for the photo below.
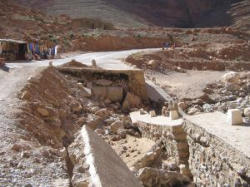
106 167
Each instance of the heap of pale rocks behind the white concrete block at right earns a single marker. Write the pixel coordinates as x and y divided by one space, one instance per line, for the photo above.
232 92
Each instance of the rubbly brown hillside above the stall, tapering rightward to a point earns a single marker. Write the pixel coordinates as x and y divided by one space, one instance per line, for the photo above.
21 22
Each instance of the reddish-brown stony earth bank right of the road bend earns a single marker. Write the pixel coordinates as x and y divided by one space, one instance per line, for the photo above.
202 56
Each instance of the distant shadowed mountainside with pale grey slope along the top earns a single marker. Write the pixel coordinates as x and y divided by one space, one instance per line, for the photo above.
181 13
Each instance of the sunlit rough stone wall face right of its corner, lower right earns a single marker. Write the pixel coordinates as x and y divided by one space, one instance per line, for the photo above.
213 162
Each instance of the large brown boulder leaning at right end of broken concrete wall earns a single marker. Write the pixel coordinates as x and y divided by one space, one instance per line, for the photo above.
131 101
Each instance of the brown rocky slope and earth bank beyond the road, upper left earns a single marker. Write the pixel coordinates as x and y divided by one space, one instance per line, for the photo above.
22 23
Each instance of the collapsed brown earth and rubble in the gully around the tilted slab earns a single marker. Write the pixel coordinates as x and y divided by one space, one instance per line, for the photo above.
60 105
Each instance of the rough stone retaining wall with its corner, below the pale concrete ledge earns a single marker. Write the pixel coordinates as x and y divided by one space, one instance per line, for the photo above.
211 161
